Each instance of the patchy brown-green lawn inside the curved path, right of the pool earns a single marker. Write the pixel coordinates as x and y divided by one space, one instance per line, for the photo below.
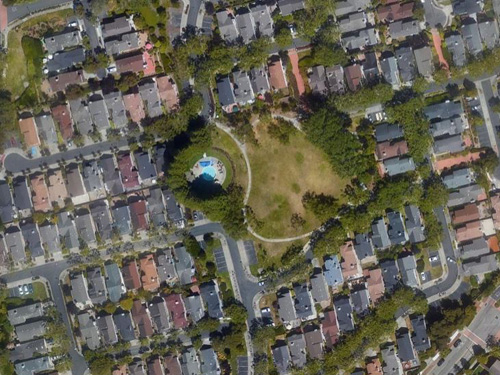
281 174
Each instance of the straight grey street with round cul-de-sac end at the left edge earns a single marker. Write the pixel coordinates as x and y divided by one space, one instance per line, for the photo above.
17 163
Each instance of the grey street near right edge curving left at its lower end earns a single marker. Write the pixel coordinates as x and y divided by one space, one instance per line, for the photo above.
453 271
